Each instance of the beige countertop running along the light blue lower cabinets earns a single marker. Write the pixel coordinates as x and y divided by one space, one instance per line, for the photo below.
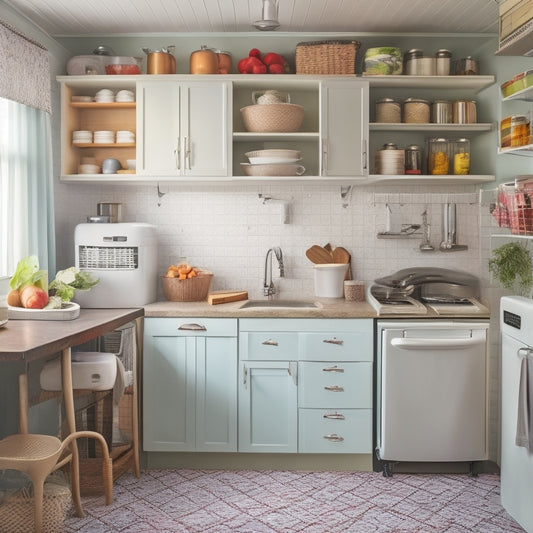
327 308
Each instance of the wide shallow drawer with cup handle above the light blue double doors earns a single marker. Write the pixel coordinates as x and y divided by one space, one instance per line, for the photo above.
190 327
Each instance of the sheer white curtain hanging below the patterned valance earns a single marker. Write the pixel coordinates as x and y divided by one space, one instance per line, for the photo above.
26 187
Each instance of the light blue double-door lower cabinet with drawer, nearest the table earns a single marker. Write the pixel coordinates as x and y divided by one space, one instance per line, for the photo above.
190 385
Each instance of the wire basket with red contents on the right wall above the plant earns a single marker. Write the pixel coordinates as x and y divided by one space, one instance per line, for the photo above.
514 206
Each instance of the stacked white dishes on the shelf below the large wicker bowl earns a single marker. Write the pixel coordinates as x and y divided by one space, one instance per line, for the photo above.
274 162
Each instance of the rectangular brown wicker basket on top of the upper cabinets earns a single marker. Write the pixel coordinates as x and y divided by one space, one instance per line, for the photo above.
326 57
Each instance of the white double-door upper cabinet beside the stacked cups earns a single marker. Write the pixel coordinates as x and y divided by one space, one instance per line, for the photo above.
183 128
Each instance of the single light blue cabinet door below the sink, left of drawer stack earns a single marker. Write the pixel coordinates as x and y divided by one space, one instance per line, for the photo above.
268 409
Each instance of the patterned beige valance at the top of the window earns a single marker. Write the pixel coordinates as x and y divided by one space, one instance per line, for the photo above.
24 69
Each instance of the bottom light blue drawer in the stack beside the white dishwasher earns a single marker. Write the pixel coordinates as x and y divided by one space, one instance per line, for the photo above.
331 431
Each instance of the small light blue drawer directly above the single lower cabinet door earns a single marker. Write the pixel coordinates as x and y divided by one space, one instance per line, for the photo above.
268 345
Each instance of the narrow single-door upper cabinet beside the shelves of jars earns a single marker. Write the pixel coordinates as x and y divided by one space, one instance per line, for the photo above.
344 128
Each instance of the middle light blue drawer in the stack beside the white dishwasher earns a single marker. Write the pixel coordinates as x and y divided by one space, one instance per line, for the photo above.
335 385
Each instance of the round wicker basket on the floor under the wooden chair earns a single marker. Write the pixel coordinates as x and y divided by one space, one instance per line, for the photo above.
16 512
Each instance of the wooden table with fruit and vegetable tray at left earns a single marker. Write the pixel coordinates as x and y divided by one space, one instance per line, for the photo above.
30 340
